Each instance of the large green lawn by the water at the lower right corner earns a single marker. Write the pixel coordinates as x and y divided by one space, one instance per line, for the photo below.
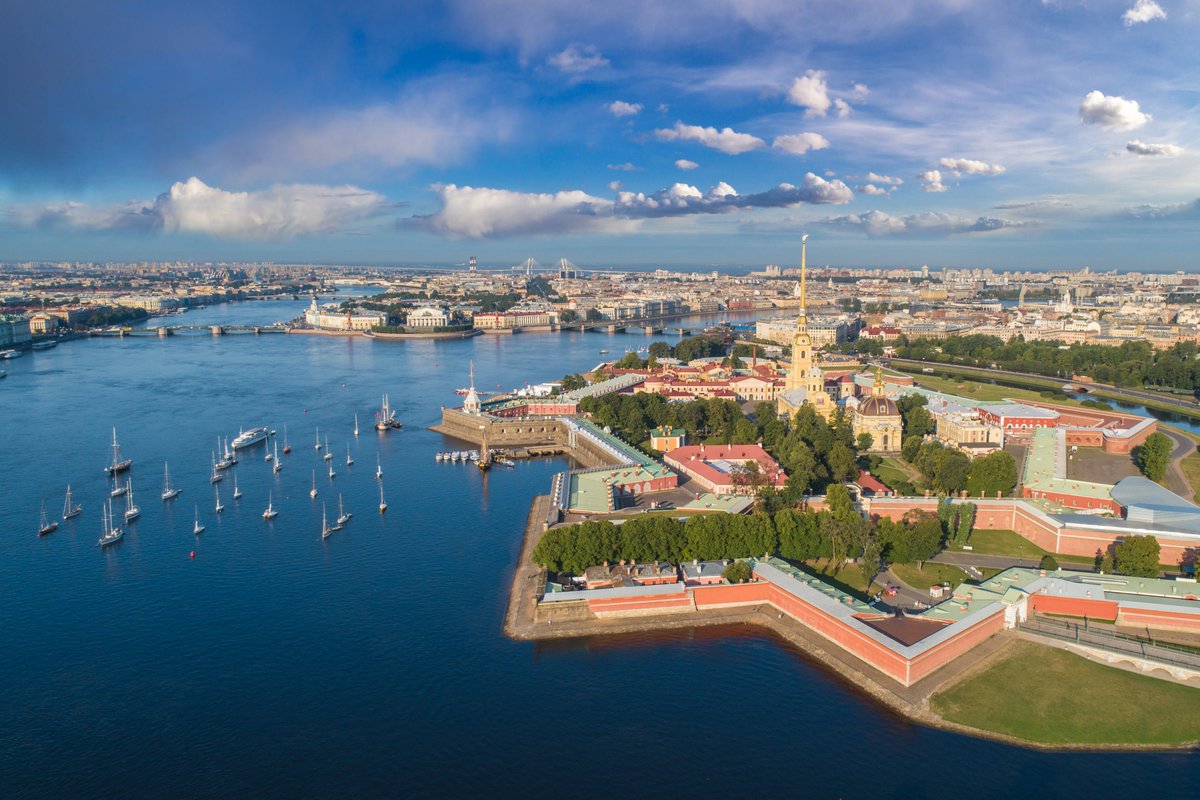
1051 696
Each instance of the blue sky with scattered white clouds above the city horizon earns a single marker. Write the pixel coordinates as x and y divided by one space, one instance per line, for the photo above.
1013 135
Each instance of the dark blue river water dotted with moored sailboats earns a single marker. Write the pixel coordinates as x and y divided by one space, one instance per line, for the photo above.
277 665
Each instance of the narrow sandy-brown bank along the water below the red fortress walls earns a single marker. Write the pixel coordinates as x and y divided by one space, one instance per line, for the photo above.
526 621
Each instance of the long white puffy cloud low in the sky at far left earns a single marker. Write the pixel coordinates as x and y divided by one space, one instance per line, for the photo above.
194 207
